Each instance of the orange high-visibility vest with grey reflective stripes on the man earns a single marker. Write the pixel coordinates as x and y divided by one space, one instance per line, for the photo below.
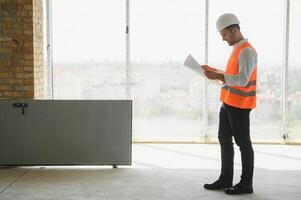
237 96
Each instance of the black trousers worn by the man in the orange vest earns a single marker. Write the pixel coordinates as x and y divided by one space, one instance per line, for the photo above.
235 122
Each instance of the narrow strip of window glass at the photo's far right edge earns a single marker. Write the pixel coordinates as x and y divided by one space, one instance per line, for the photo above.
294 81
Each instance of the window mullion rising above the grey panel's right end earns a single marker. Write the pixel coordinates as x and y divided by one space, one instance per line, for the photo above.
127 65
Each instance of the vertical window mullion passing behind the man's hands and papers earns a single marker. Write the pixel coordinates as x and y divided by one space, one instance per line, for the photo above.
205 82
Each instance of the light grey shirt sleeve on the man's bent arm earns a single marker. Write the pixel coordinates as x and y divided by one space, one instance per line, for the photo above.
247 61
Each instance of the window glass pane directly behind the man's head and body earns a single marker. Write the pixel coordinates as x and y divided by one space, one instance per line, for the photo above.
266 35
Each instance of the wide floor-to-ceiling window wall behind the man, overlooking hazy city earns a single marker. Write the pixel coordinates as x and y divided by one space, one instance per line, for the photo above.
94 60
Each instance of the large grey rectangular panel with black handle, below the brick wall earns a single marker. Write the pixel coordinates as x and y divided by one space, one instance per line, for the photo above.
65 132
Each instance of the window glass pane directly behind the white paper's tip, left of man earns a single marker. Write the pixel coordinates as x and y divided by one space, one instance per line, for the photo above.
167 97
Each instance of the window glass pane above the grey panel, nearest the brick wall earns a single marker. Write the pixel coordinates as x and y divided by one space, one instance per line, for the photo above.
89 49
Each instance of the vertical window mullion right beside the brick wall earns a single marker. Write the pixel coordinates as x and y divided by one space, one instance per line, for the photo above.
49 49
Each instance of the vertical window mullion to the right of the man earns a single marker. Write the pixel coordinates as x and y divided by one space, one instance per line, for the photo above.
285 70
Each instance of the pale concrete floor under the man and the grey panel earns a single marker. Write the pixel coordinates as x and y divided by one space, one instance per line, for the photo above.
159 171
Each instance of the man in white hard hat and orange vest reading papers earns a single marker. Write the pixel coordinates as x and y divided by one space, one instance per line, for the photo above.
238 96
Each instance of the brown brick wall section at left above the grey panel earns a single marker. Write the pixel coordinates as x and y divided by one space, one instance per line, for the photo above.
21 49
